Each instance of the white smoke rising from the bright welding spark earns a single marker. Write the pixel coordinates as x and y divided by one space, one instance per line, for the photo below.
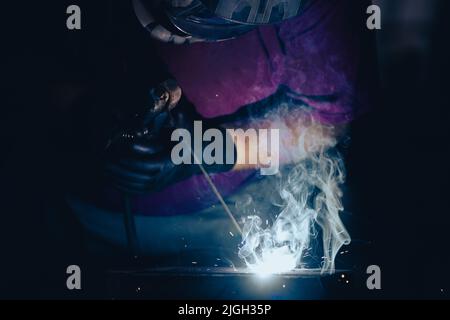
310 194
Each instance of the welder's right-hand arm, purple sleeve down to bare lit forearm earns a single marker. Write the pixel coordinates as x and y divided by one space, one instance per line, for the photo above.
328 66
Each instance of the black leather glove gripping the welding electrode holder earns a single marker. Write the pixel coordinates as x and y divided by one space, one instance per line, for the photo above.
144 164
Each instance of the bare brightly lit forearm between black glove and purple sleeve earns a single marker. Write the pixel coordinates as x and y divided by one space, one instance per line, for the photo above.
298 136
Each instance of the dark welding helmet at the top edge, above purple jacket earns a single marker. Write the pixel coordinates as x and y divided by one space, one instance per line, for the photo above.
181 21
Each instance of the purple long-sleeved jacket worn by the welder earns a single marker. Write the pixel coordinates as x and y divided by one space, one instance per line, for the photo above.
317 55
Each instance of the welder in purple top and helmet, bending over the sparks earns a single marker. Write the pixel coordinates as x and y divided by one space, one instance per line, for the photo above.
290 65
